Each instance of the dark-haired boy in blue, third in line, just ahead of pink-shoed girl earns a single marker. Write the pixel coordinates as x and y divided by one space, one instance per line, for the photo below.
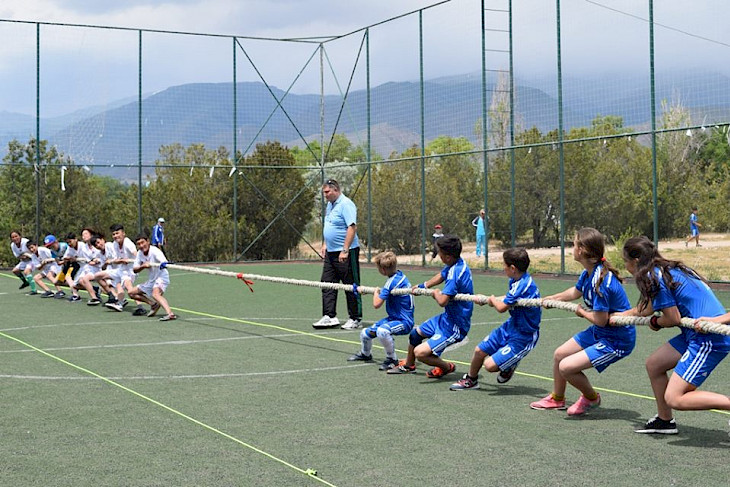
503 349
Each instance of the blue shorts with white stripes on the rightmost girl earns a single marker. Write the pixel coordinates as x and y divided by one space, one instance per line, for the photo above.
699 358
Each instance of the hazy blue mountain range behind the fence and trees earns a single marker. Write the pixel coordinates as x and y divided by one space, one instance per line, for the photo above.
202 113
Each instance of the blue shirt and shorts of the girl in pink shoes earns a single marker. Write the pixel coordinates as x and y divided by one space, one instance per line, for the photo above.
604 344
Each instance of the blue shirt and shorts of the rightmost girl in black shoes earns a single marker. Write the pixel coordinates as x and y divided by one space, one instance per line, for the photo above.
701 352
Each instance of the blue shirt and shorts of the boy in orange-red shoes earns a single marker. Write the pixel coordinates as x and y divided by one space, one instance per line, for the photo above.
453 324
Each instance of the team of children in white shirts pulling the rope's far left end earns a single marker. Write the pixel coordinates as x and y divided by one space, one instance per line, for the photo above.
93 264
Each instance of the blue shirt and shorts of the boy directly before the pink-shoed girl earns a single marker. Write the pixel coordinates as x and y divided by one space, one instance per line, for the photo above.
512 341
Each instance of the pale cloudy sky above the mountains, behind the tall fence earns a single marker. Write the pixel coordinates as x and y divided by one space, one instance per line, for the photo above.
82 67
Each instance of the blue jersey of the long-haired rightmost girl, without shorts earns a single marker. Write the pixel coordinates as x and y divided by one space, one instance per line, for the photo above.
693 298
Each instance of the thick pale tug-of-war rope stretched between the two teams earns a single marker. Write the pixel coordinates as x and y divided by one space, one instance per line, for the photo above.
703 326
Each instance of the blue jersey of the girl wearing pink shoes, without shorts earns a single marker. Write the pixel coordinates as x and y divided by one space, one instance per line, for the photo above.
610 297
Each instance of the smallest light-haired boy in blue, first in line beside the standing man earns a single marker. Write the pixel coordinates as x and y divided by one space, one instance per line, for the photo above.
399 308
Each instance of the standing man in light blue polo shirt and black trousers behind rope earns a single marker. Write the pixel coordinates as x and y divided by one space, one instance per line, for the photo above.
341 254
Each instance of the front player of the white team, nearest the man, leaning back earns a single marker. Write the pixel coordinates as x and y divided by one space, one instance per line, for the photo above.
151 292
